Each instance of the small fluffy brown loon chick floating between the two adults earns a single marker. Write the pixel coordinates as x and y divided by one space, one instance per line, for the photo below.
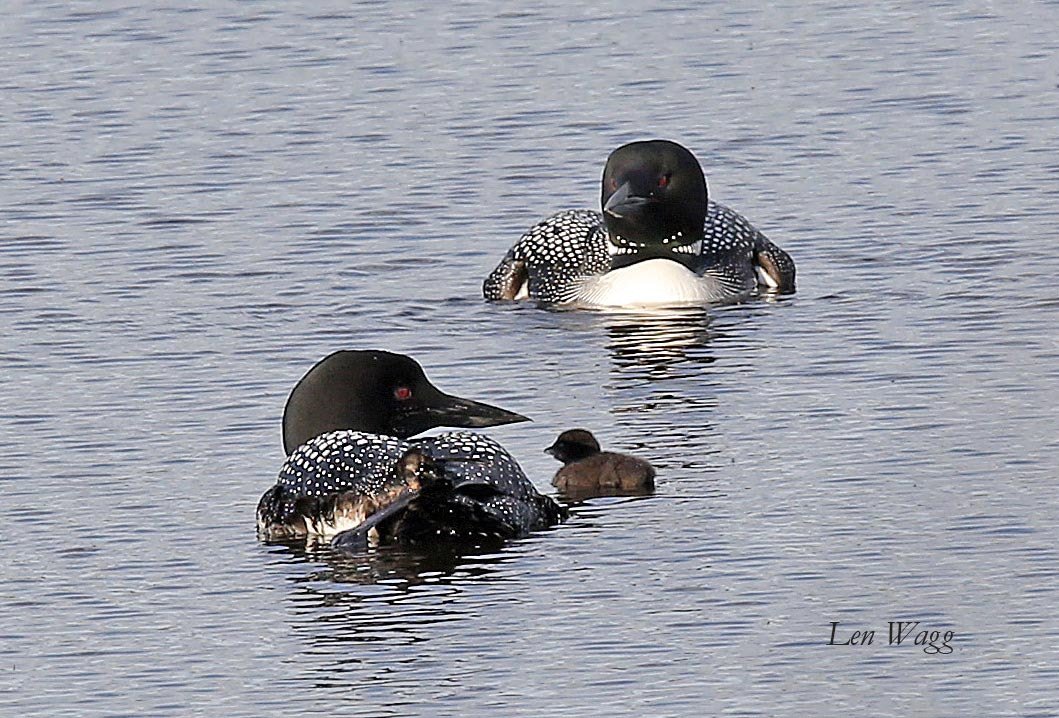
589 472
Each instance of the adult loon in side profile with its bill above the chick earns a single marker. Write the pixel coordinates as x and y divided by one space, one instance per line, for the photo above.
353 473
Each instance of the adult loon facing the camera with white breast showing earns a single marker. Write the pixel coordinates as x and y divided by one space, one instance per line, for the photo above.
659 242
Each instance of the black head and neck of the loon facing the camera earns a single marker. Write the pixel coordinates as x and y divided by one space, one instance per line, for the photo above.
654 203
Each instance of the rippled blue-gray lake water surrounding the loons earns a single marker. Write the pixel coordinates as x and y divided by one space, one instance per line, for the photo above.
199 205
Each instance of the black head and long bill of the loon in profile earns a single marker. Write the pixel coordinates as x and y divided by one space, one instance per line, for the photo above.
381 393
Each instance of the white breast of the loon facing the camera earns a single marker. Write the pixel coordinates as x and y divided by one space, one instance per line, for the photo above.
652 283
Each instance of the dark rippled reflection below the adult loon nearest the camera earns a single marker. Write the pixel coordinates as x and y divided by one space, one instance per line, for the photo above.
380 621
